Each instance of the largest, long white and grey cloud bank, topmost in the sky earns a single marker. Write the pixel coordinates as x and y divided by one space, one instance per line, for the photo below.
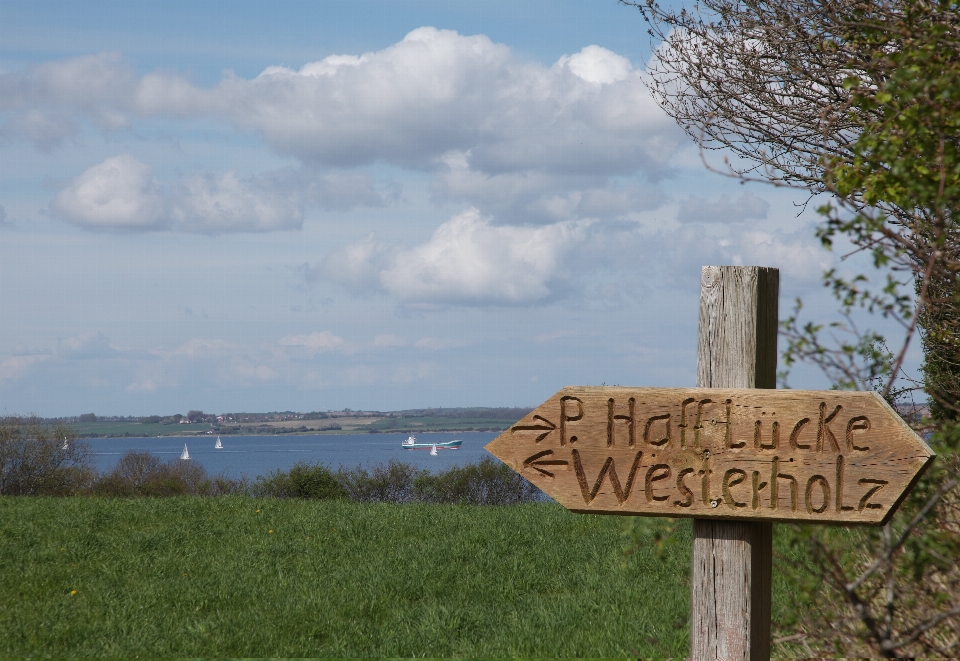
408 104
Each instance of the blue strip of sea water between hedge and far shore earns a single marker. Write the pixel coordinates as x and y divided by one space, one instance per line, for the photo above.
258 455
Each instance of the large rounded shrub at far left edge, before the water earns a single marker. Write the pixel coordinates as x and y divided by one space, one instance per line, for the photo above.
41 460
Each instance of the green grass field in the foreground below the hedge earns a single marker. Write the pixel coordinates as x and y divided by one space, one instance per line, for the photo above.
241 577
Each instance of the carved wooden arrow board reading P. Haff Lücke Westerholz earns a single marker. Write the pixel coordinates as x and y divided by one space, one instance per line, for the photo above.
780 455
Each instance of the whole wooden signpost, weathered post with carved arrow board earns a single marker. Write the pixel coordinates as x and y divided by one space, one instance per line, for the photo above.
733 453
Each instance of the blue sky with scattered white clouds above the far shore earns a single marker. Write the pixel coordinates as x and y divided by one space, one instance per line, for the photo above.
237 206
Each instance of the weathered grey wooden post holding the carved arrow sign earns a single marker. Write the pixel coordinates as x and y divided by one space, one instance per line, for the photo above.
730 600
